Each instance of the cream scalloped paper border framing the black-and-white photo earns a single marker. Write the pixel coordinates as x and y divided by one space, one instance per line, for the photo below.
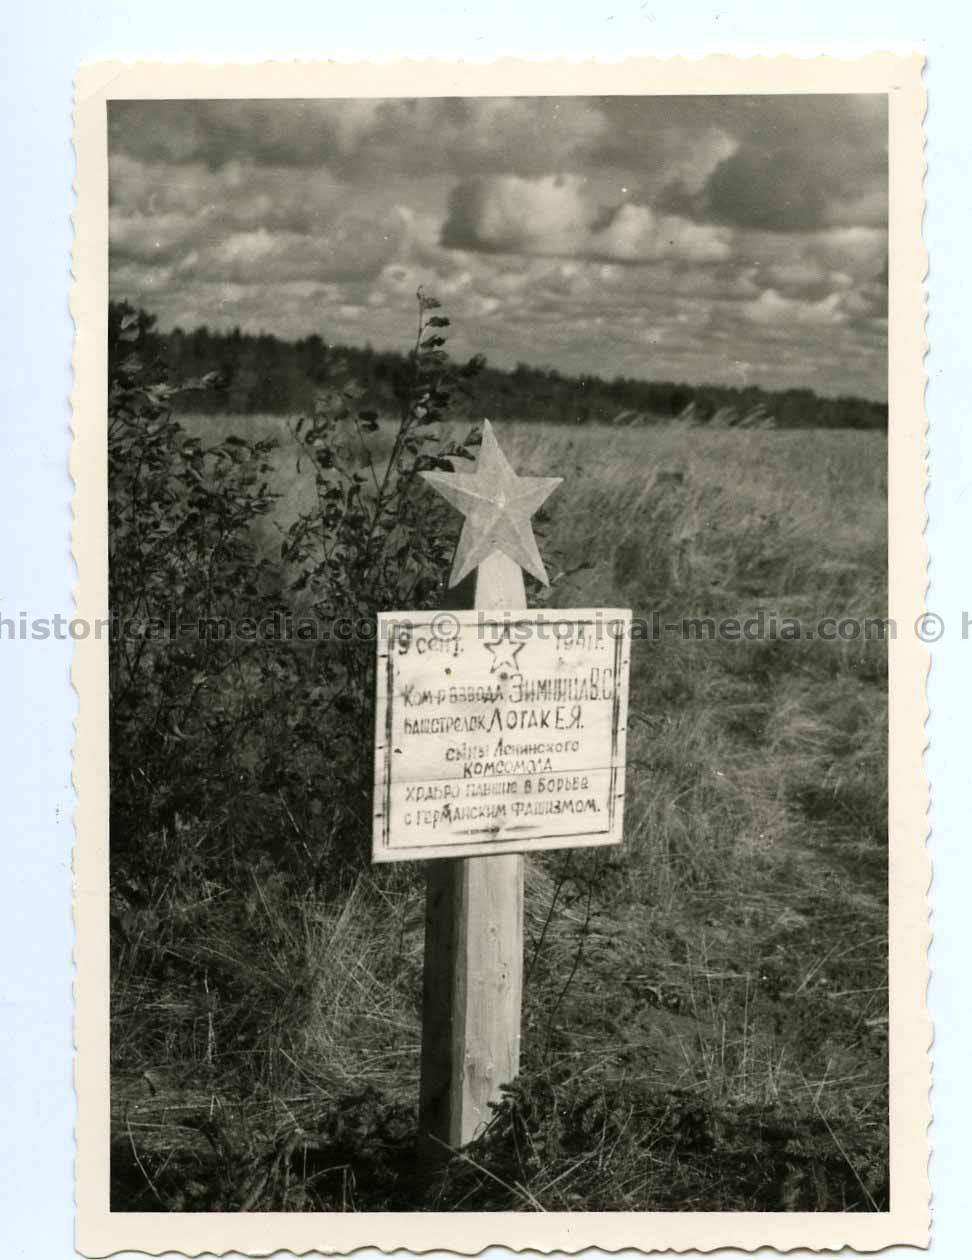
101 1233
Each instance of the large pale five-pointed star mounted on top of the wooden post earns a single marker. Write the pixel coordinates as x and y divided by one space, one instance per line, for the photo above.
497 506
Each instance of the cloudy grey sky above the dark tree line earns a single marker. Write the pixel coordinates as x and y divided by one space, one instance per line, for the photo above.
738 240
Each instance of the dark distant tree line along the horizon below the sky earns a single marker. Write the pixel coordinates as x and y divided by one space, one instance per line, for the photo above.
262 374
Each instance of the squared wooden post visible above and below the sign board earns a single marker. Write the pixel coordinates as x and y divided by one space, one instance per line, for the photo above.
473 958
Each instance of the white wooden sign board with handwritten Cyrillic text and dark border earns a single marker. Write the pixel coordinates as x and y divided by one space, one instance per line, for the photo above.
500 733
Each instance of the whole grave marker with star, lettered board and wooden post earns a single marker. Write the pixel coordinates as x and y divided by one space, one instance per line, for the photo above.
499 733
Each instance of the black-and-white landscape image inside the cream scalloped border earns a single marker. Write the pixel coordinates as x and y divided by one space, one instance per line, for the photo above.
499 653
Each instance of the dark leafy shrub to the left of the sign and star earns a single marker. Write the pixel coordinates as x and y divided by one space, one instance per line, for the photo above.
258 738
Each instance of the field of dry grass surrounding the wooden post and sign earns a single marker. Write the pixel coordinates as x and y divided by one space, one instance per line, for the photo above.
705 1012
